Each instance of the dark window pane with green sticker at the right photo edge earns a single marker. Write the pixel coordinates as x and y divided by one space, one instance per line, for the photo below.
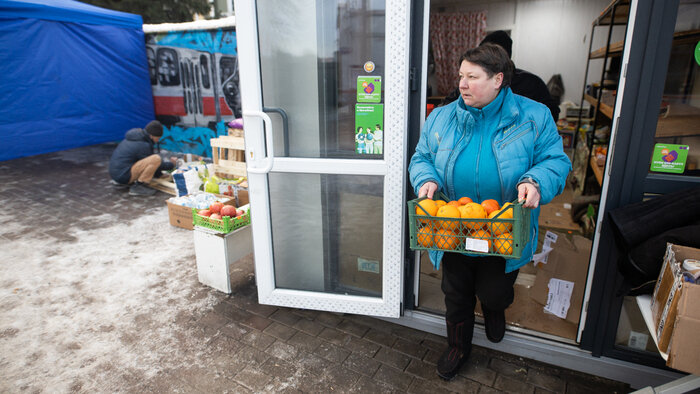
677 141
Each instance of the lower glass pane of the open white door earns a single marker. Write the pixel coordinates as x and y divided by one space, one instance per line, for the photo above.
309 214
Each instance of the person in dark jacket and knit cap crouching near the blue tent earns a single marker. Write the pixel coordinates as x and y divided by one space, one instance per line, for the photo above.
134 161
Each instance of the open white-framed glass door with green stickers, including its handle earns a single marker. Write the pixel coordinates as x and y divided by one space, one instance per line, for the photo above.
324 91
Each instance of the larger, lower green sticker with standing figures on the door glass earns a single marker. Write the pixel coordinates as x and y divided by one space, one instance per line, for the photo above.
369 129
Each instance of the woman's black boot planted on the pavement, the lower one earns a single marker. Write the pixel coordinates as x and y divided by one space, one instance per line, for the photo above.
459 340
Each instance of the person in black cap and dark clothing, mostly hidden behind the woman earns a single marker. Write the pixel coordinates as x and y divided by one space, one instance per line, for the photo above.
524 83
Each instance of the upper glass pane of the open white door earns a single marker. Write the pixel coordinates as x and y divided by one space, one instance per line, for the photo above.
325 45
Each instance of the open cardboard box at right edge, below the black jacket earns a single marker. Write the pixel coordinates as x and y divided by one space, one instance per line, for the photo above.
669 291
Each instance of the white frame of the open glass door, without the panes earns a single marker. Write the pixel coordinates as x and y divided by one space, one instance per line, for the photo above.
392 168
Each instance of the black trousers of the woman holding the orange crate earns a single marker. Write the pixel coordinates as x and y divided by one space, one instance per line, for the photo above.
464 278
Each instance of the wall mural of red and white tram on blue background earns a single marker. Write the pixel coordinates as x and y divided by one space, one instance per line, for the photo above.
194 78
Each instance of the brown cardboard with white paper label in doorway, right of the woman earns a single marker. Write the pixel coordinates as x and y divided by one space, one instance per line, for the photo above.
567 261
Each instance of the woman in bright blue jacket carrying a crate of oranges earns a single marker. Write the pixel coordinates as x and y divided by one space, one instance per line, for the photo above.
488 144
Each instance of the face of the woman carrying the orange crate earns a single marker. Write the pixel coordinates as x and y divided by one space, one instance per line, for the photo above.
475 86
